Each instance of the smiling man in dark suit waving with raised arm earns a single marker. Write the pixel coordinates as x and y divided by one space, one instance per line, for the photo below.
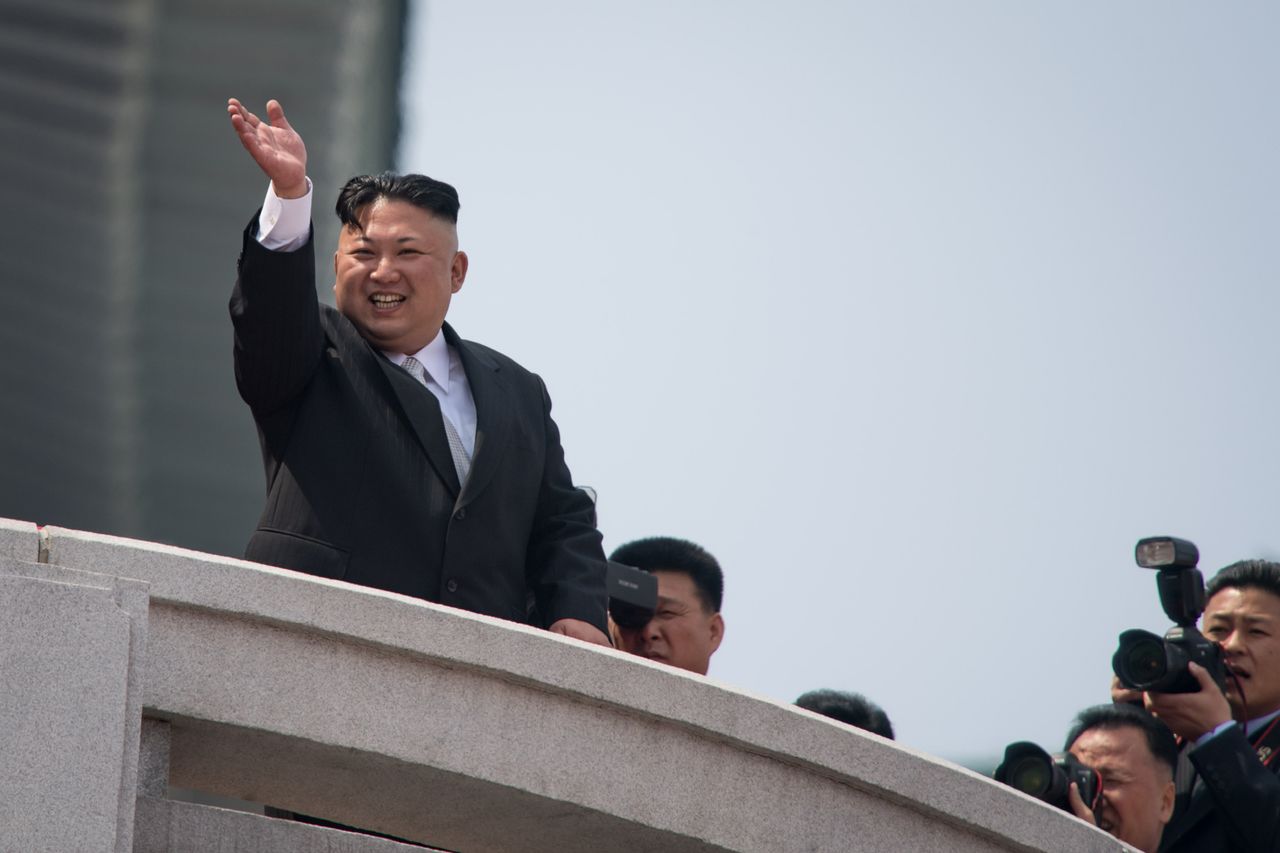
399 455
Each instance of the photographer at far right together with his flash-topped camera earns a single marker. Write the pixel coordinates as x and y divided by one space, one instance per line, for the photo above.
1226 709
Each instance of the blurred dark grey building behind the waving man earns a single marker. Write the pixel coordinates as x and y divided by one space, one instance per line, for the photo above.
125 198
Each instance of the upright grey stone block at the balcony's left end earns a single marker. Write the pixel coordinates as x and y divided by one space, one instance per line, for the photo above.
72 706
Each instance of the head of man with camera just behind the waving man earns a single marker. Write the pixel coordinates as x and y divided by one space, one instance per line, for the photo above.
687 628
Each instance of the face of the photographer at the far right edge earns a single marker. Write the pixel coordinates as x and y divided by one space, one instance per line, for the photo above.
1246 622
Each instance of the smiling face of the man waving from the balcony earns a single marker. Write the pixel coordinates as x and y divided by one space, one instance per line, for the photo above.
395 276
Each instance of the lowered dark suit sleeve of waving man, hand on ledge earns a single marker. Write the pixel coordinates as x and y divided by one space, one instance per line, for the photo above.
565 567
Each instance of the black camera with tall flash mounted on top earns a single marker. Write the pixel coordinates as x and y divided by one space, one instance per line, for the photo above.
1145 662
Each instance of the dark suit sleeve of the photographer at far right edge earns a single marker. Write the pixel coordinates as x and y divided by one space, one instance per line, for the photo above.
1246 793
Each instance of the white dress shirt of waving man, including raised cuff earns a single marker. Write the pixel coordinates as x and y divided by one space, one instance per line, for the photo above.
285 226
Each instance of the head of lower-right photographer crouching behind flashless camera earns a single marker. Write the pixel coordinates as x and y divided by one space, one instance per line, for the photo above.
1136 756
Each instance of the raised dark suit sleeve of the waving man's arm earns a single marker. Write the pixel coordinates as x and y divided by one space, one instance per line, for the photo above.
277 321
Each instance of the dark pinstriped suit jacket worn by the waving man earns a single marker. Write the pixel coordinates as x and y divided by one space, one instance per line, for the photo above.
360 482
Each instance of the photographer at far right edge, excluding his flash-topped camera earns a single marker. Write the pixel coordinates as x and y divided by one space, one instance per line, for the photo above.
1232 800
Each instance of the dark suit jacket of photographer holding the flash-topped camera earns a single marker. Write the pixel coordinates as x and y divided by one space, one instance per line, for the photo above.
1235 809
